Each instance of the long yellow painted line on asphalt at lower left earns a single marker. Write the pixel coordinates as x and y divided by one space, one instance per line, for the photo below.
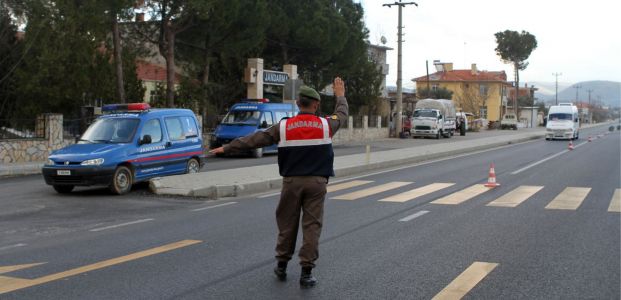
9 284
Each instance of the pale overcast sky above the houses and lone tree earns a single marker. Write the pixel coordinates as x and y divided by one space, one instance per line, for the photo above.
580 39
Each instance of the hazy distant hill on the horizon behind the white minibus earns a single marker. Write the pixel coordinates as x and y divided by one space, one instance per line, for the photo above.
608 92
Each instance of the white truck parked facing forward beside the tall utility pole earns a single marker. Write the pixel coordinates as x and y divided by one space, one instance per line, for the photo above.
434 118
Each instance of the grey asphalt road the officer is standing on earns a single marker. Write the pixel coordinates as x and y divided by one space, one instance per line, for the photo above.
138 246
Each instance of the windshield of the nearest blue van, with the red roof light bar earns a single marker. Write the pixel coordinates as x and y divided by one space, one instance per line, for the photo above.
111 130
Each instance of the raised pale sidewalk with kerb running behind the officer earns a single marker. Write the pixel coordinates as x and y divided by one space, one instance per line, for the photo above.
263 178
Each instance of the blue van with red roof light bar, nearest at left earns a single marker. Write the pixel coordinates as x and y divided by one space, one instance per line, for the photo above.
128 144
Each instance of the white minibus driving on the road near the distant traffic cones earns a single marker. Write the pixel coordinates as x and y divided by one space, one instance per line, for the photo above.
563 122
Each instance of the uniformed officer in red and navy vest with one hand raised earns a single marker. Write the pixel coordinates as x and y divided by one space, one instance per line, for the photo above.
305 160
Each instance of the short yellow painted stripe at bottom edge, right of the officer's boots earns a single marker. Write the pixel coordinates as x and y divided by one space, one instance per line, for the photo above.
467 280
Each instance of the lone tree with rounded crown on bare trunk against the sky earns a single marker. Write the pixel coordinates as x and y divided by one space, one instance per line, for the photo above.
515 48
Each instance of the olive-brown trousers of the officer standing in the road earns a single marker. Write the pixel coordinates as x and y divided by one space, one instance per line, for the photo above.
300 195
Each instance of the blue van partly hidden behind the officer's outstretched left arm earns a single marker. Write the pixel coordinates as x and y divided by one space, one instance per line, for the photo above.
248 117
